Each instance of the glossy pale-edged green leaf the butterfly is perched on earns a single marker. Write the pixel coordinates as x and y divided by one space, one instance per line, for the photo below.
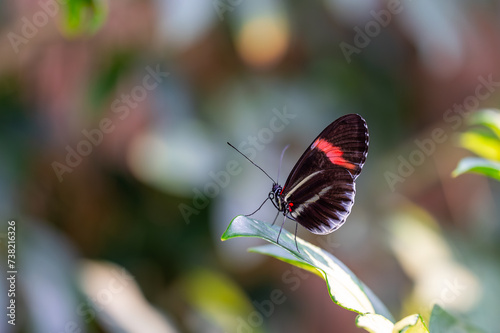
344 287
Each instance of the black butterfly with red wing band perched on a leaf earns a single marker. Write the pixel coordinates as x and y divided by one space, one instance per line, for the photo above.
319 191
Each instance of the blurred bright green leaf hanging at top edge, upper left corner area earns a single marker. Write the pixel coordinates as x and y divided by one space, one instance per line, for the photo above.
84 16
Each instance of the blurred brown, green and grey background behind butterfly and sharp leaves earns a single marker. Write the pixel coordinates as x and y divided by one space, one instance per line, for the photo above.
114 163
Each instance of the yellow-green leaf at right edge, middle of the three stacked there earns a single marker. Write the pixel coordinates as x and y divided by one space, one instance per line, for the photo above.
481 144
